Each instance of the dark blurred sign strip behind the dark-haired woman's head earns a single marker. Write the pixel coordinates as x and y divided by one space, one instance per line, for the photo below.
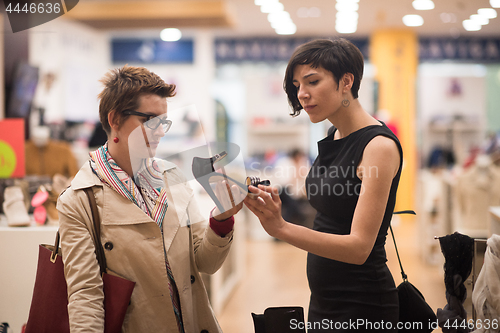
265 49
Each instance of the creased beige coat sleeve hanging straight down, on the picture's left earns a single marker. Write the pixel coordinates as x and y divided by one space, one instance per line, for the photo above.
85 293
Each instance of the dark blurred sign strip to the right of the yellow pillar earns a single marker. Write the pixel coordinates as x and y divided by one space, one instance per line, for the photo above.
468 49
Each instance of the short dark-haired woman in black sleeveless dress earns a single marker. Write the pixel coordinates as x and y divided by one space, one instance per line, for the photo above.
352 185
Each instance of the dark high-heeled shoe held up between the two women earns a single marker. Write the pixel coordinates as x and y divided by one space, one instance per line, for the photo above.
204 172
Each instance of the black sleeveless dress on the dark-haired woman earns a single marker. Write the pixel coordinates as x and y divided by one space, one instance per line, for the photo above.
347 297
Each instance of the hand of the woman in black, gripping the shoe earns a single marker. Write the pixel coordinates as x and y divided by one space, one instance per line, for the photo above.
265 203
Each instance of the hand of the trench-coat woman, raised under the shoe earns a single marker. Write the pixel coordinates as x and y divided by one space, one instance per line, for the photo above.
231 199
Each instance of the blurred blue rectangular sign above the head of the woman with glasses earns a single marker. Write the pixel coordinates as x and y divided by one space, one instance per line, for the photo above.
151 51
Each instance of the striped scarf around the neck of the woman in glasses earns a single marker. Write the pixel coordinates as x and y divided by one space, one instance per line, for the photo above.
148 192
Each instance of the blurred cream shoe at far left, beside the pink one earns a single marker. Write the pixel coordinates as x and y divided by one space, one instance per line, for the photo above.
14 207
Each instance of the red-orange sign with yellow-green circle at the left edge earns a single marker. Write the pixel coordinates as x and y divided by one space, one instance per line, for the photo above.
12 148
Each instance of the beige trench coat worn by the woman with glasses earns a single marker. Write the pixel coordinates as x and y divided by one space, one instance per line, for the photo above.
134 250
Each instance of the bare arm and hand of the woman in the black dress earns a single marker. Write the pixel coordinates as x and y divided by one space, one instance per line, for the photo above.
381 161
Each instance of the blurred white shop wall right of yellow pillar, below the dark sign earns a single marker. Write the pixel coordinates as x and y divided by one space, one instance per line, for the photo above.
445 91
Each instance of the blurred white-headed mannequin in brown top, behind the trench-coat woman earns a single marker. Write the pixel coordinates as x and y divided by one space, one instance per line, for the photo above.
46 157
